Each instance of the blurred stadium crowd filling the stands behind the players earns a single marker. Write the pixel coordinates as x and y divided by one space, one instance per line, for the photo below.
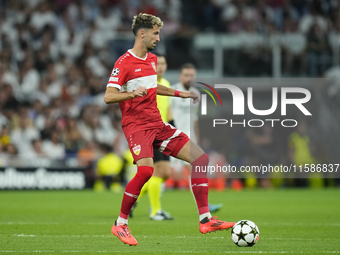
56 57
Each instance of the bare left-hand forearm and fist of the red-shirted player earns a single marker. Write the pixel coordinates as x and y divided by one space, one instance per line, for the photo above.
112 94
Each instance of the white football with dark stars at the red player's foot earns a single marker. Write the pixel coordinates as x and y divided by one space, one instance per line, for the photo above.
245 233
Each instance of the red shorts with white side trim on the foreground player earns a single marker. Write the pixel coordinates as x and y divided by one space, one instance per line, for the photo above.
167 140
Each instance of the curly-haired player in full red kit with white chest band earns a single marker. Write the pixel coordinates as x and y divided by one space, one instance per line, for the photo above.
133 84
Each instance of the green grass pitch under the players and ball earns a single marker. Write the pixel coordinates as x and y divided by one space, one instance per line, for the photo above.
296 221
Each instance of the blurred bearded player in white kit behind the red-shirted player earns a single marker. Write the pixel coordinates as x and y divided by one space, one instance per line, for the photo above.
186 119
